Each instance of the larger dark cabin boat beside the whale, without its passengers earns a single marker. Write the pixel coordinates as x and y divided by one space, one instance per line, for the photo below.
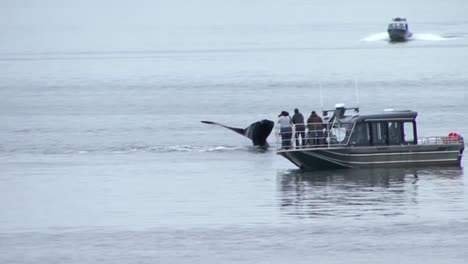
387 139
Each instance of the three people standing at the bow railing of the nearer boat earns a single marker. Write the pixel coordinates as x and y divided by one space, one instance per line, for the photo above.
316 129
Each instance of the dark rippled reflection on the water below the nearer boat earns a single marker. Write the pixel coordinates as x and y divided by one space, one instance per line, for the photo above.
358 193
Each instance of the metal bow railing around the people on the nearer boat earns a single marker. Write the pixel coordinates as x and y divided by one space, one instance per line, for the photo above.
313 135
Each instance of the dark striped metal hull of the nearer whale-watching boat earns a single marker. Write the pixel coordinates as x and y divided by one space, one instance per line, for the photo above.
374 157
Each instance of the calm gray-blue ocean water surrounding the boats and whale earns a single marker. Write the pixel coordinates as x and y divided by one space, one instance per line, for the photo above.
103 158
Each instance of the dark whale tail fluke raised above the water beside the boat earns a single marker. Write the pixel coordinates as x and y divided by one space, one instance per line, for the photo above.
258 132
